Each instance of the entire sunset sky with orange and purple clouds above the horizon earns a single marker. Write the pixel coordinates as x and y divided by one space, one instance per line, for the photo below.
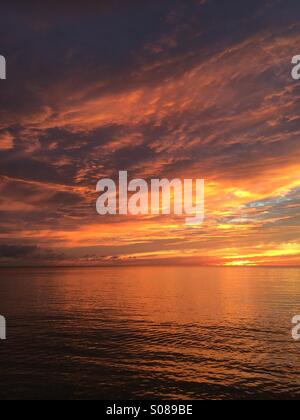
163 89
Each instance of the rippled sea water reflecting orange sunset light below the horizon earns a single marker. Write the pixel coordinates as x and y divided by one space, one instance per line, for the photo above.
134 333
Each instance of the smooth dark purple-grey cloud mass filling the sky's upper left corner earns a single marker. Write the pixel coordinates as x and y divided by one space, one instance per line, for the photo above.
53 47
